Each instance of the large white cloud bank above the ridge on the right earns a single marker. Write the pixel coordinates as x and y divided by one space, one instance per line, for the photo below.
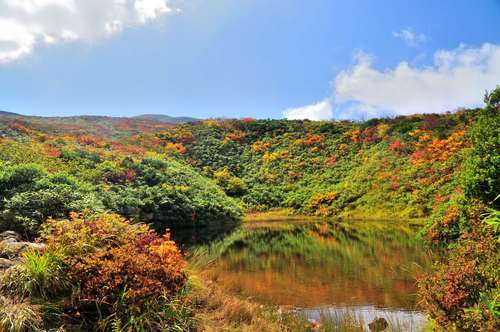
456 78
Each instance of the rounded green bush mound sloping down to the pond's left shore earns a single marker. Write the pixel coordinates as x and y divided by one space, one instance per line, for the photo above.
168 193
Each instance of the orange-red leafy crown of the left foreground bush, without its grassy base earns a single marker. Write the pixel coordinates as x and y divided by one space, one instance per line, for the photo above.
113 260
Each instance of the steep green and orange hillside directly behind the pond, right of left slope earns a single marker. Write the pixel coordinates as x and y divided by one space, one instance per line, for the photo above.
403 167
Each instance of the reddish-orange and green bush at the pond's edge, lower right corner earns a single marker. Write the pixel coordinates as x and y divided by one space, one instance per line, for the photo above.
464 291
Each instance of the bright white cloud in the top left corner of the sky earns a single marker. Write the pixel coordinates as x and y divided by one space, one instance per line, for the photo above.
24 24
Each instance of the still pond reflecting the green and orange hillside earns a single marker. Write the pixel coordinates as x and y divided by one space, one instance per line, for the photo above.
360 269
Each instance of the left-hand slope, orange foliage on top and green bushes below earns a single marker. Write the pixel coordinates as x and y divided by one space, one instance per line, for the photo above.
50 168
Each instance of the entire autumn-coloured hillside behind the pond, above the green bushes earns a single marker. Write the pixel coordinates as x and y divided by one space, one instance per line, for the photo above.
403 167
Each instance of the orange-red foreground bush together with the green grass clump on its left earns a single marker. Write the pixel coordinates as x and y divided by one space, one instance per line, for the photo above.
104 272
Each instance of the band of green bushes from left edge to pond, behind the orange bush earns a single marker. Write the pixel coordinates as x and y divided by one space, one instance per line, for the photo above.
160 191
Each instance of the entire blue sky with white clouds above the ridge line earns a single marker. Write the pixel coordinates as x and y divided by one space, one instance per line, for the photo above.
247 58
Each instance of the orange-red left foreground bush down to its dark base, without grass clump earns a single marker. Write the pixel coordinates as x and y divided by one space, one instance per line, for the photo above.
112 266
